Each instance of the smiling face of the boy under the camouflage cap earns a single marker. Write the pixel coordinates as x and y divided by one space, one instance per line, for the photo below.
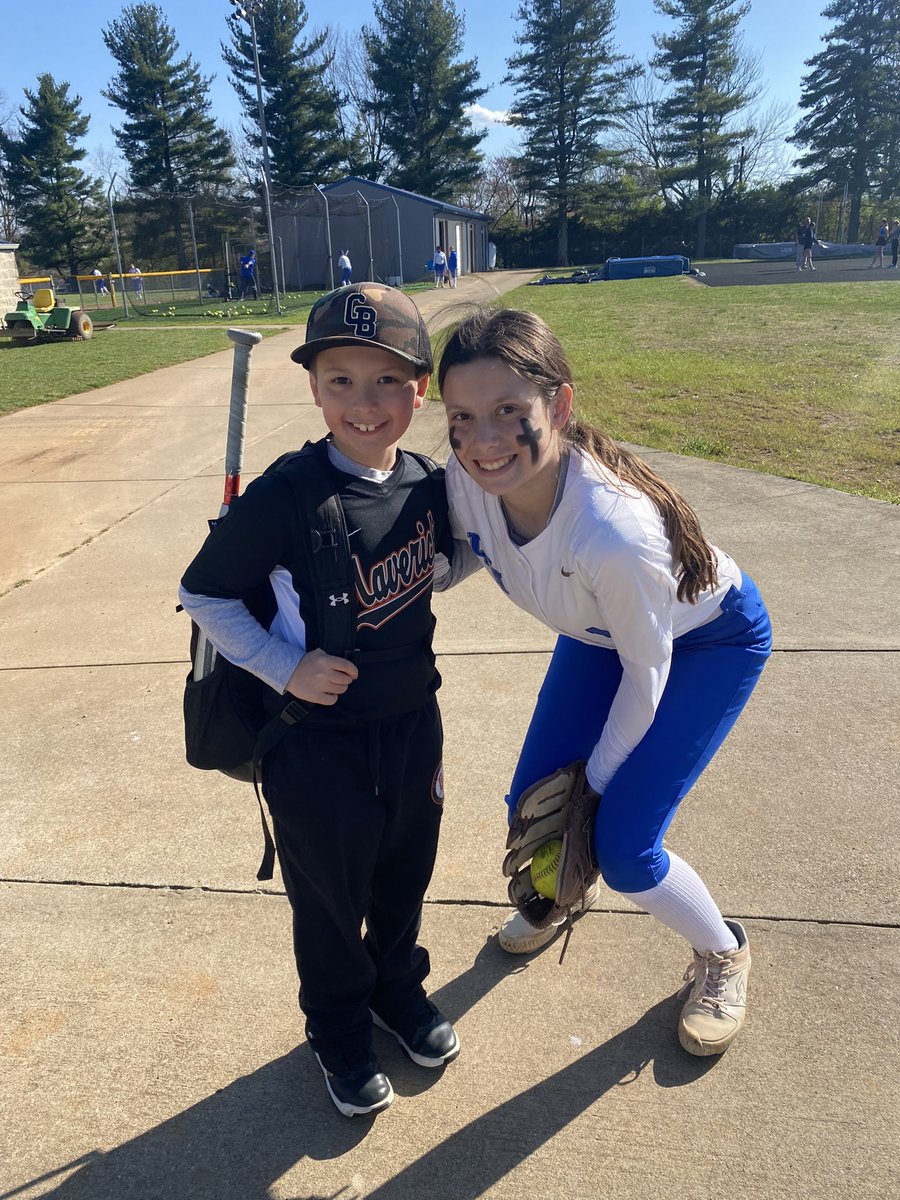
368 398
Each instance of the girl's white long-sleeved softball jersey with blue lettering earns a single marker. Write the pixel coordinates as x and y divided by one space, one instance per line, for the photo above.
601 573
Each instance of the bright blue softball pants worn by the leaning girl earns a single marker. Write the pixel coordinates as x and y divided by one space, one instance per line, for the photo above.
715 669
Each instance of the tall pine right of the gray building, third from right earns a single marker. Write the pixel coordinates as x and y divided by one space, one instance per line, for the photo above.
569 82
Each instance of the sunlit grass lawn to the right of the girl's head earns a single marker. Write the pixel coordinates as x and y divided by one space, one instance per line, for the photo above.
795 382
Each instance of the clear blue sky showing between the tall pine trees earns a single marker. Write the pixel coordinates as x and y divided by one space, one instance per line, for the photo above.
43 38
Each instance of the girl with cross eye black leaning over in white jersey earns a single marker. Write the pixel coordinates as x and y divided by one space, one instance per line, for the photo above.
662 637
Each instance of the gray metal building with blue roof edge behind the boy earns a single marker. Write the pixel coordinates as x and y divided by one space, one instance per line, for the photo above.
391 235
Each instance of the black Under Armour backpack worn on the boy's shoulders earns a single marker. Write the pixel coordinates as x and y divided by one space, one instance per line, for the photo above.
229 723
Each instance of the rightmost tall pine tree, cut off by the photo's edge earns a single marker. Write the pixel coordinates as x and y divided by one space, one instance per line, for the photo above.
851 101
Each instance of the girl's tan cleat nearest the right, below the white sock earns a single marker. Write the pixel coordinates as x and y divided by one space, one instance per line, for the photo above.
716 1009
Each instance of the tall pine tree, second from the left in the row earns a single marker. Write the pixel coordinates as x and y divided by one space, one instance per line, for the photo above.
172 145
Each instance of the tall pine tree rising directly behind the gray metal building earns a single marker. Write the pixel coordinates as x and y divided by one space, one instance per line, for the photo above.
424 91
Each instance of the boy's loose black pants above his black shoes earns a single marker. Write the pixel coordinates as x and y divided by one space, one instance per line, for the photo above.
357 814
